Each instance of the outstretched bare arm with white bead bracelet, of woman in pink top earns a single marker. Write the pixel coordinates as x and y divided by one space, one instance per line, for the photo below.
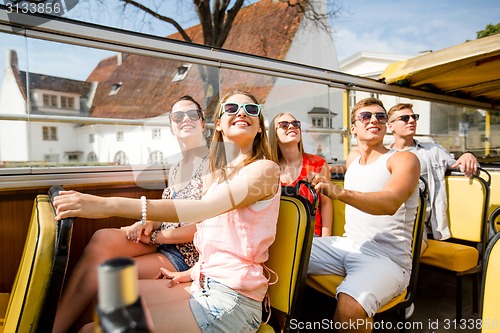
258 181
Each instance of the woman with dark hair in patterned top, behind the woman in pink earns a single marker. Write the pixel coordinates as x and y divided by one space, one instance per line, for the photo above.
176 250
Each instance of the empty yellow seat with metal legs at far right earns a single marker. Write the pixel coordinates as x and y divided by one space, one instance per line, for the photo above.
468 200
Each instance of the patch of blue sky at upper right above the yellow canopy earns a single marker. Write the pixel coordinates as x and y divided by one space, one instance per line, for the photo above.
410 27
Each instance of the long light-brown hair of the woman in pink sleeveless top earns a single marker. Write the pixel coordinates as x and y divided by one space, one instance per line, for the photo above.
260 147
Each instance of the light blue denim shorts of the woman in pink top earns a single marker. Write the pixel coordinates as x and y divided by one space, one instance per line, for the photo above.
219 309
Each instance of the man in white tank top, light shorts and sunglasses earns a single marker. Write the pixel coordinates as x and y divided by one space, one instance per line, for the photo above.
381 196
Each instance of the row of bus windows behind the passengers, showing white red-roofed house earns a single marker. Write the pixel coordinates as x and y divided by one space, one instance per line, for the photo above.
121 86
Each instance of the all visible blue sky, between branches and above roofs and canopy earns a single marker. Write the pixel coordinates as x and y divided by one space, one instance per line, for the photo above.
401 27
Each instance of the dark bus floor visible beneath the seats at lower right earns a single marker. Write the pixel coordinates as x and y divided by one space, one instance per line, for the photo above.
434 308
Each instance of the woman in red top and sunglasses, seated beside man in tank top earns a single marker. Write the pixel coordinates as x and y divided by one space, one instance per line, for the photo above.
285 138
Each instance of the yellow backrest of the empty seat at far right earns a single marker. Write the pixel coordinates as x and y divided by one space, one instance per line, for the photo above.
468 200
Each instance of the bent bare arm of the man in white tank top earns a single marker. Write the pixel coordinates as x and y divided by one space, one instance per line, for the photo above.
405 171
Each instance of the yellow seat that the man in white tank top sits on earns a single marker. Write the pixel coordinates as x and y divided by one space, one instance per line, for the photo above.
327 284
